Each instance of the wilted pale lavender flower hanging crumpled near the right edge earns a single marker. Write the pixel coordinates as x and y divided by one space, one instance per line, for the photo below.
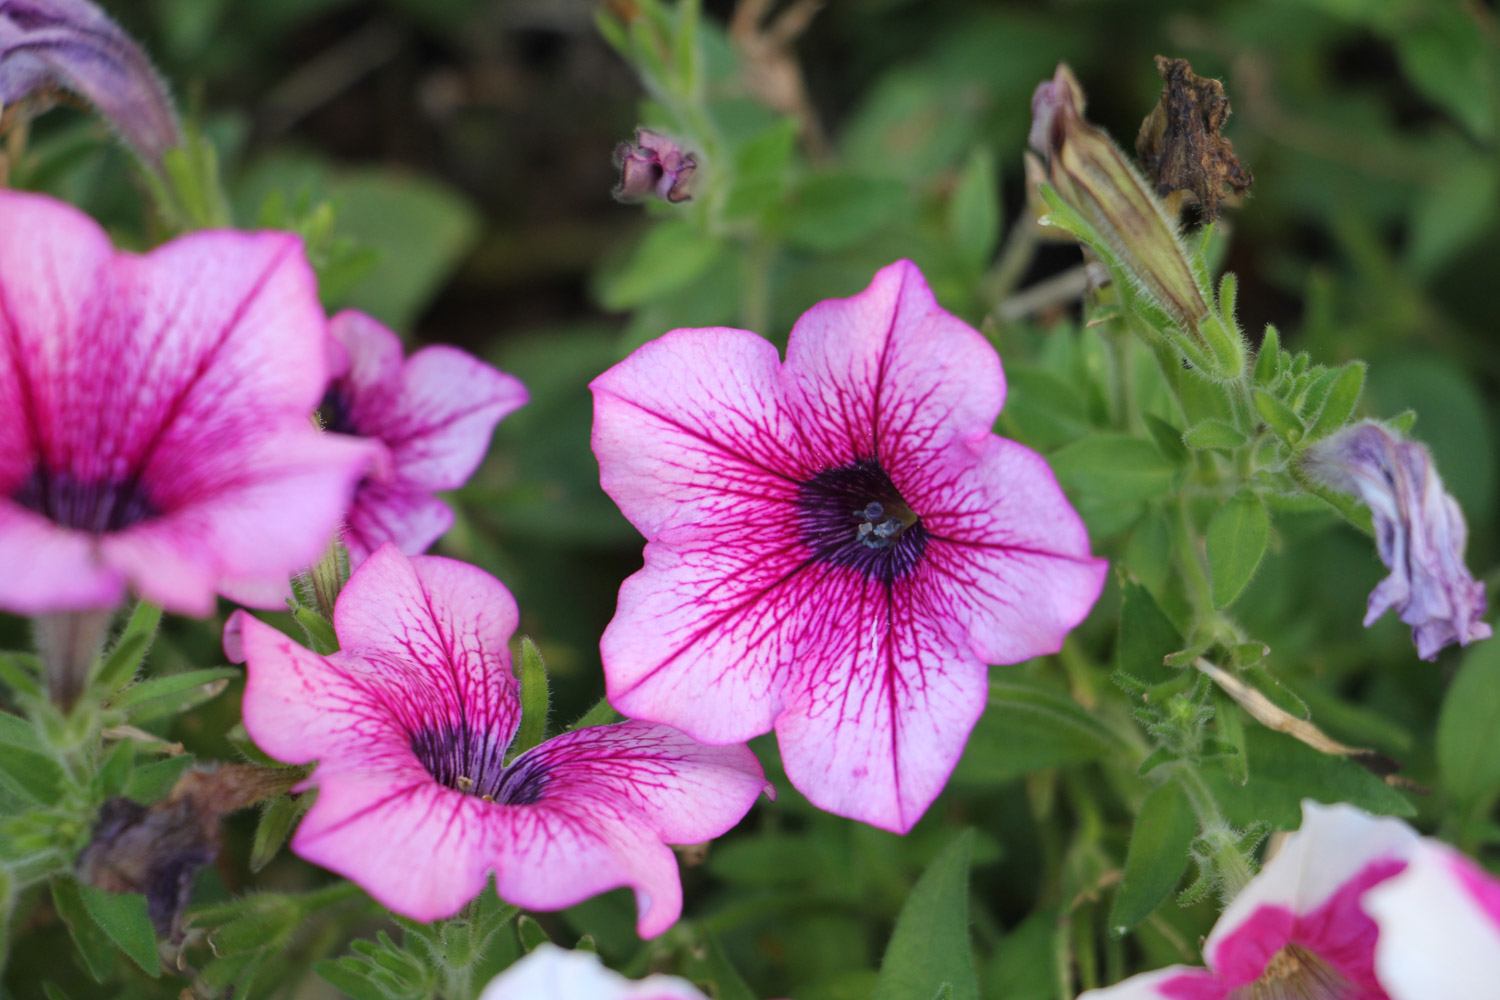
1420 533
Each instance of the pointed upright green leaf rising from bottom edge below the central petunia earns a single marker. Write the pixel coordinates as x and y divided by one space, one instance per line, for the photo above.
931 945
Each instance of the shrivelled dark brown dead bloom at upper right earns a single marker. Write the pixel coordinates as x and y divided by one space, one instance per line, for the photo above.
1181 145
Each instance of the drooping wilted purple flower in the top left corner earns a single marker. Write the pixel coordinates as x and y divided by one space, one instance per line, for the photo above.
74 46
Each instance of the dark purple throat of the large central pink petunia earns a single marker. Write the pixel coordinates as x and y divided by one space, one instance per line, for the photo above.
854 516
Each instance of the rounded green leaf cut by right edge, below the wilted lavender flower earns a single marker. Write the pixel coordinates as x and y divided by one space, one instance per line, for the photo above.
1468 728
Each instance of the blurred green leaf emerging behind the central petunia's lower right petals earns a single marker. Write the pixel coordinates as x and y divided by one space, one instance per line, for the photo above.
1028 728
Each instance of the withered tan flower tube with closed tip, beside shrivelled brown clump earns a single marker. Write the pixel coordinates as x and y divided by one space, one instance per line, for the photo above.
1094 179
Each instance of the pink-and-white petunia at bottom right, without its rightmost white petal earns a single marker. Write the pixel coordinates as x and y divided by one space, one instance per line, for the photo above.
1303 927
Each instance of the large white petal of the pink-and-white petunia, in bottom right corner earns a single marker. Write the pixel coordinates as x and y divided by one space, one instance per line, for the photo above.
1439 929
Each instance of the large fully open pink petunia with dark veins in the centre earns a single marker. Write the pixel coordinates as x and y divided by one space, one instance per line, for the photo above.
838 545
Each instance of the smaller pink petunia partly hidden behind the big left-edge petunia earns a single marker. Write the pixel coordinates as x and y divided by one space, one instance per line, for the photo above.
433 412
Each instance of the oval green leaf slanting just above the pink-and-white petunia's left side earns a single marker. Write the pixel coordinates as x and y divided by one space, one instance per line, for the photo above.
1157 857
